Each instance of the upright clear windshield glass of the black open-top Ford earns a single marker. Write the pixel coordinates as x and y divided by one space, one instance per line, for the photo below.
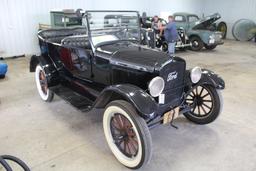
107 26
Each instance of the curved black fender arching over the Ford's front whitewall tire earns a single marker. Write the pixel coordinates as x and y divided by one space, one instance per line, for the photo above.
142 101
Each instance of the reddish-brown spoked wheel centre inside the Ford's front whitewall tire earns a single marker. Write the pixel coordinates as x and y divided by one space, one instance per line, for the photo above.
124 135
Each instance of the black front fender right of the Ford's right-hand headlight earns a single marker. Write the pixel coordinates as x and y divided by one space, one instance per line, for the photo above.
210 78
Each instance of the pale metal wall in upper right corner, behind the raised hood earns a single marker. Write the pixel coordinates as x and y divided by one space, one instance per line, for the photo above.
231 11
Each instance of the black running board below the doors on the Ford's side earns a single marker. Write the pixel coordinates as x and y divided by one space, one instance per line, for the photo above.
80 102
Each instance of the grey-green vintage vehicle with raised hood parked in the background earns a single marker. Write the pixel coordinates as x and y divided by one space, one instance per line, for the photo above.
201 32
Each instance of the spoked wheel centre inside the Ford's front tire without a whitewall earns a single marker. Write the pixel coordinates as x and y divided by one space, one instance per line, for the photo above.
201 101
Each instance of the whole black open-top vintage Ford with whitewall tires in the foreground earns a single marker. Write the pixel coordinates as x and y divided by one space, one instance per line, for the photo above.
105 67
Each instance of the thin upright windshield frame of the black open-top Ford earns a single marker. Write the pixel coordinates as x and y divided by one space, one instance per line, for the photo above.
94 47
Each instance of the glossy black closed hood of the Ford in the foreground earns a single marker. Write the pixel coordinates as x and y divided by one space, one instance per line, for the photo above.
135 56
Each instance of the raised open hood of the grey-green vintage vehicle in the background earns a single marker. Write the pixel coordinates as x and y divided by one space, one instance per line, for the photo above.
206 21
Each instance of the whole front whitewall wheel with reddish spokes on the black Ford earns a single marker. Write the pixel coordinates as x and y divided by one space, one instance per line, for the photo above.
127 134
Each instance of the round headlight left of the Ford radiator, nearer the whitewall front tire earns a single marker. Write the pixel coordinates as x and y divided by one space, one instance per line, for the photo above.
156 86
